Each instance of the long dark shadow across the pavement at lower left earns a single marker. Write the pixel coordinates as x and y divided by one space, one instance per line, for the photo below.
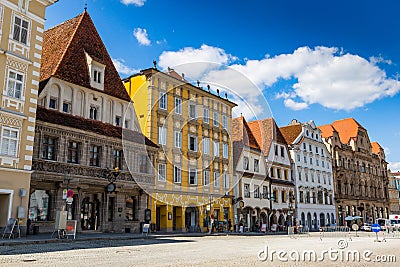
64 246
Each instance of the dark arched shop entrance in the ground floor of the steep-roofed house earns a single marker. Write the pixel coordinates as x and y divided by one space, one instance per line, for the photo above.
90 213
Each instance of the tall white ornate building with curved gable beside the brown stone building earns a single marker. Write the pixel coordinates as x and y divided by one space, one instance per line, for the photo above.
312 172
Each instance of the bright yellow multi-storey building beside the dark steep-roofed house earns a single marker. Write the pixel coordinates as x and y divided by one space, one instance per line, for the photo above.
192 127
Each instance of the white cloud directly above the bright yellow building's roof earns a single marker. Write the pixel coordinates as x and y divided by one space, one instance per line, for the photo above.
206 57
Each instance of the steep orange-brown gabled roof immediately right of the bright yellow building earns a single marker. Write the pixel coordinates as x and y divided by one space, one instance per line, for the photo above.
242 132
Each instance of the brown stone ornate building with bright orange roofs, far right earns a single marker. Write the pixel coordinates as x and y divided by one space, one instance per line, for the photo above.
359 172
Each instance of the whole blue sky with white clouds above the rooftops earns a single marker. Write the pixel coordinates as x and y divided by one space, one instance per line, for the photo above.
310 60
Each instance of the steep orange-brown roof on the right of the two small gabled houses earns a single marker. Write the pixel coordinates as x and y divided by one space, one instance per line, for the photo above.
265 131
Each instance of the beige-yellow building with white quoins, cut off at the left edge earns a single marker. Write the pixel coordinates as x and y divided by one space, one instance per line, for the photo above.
21 32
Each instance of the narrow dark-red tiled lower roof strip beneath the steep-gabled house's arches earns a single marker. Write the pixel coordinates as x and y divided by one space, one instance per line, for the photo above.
98 127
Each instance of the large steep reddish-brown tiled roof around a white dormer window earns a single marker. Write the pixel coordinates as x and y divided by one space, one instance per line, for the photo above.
63 56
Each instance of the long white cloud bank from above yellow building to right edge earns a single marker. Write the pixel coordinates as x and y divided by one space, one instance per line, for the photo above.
323 75
